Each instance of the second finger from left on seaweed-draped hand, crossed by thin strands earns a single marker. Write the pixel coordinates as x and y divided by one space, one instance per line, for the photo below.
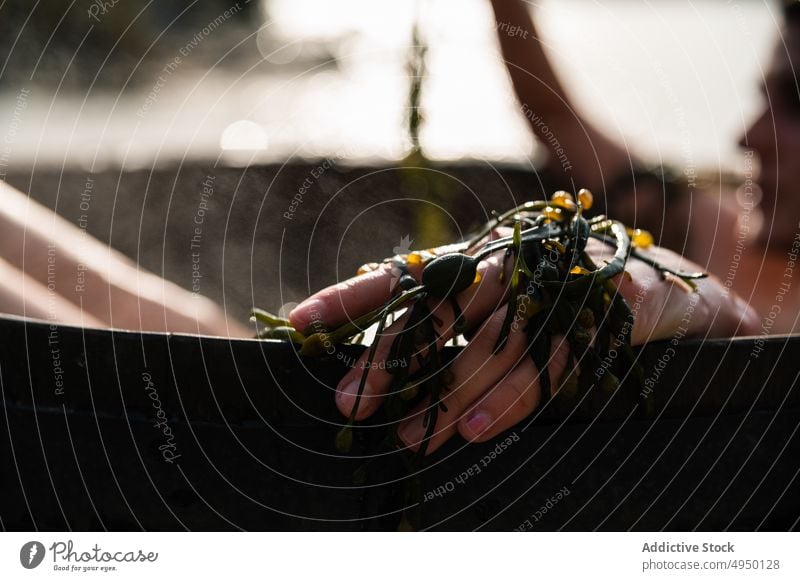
476 304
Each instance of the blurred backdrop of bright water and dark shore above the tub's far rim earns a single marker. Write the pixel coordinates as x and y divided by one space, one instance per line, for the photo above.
315 78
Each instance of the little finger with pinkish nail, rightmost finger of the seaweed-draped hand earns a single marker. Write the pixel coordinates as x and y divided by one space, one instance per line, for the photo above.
514 398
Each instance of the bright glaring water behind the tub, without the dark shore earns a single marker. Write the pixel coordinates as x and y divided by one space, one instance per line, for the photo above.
675 79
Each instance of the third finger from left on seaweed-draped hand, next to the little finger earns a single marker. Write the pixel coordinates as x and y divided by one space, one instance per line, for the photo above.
475 370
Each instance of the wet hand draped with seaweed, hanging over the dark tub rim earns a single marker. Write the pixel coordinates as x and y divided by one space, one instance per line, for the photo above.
488 392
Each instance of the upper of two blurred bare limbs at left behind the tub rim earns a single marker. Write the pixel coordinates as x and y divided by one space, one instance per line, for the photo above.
95 278
